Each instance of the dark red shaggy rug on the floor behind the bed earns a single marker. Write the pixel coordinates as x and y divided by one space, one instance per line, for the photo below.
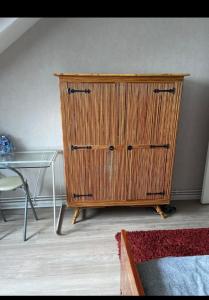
147 245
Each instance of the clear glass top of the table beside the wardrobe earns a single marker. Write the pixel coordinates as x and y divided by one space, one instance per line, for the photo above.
28 159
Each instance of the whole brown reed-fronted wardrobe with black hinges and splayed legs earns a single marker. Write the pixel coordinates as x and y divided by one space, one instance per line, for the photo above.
119 135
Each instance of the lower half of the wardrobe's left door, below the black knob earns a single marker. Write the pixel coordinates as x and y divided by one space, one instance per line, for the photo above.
96 175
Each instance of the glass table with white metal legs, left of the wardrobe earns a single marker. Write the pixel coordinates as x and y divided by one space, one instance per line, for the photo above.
33 159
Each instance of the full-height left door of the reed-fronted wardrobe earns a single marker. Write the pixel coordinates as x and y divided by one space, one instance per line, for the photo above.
94 126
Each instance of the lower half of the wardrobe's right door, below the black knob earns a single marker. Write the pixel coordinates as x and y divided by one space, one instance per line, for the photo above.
146 170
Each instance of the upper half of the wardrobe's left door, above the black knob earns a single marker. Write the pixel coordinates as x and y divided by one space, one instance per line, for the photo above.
94 113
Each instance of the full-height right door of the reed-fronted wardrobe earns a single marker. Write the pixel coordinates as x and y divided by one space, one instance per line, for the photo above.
152 111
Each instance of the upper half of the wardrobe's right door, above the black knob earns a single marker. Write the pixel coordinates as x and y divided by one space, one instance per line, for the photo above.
152 111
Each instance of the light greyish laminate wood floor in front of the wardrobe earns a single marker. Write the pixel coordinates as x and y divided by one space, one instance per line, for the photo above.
84 259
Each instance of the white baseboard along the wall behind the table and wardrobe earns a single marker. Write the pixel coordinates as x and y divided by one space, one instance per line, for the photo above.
46 201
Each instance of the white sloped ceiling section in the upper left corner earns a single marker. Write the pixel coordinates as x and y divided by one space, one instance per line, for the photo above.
12 28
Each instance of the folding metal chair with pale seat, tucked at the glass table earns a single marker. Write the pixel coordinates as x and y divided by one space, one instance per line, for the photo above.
9 183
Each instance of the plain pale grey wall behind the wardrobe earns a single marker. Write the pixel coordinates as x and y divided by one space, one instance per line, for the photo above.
29 93
